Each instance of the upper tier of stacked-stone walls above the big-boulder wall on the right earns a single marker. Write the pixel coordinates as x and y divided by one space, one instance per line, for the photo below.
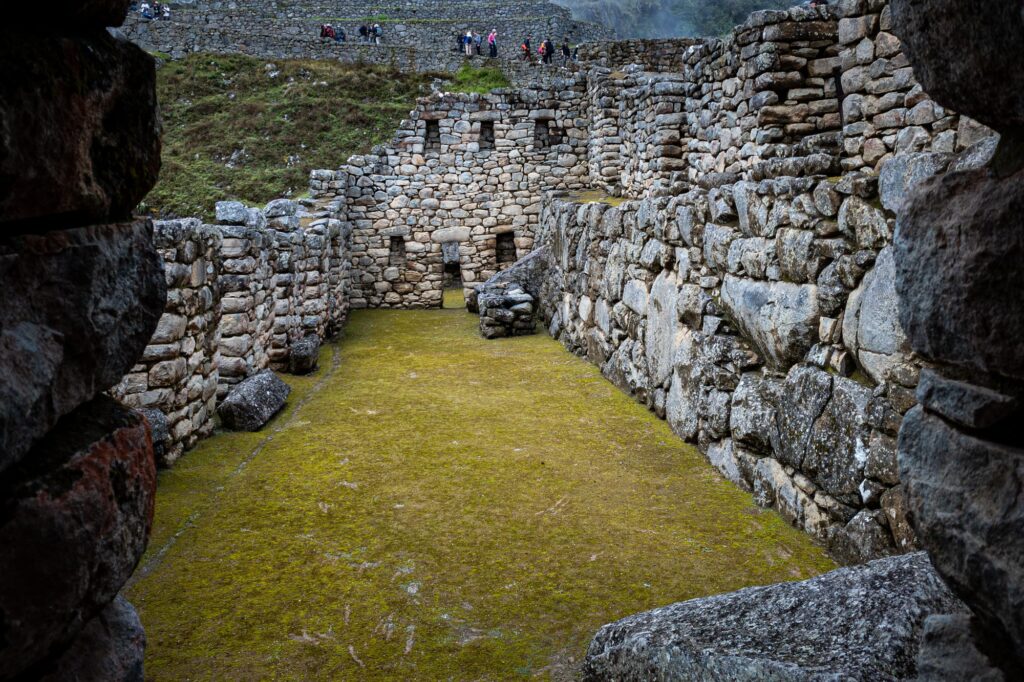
793 93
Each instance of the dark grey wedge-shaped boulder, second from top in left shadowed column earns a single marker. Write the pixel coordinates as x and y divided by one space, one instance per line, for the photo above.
89 303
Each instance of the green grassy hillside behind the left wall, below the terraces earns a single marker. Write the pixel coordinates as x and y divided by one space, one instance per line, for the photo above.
238 127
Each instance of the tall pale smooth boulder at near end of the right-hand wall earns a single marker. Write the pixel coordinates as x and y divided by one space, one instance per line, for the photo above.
871 326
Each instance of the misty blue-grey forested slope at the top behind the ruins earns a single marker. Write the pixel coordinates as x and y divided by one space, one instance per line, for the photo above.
670 19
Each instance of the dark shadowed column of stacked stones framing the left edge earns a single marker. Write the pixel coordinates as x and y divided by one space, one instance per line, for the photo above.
82 293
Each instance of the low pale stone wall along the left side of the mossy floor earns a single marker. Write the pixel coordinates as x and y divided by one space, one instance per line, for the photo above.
240 294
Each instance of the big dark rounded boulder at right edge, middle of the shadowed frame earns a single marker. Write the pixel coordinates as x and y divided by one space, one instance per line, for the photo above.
959 248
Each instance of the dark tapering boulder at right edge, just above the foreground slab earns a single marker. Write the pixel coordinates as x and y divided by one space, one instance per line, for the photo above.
964 494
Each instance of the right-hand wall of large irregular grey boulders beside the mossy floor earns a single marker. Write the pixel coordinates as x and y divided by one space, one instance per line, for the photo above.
760 320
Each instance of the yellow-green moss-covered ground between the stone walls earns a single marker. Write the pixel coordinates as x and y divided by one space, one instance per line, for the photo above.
434 506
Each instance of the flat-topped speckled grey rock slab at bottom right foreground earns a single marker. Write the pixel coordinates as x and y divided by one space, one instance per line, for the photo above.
862 623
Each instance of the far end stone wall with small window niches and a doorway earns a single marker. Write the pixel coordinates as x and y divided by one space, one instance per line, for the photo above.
446 197
